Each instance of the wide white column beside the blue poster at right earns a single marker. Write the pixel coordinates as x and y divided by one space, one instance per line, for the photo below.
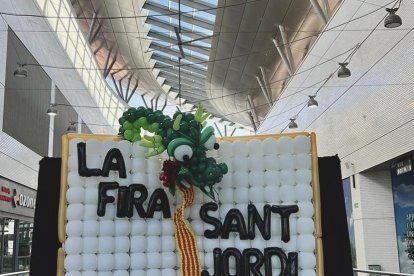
374 221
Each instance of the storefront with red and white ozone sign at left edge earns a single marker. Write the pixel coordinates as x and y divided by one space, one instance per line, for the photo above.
17 204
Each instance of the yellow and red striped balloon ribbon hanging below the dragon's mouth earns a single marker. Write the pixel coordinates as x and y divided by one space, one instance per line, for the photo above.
185 238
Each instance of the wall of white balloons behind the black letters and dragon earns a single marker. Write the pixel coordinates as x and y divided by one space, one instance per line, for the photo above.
273 171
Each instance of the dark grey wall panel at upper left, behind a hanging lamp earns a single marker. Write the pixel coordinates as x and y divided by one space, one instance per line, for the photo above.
26 99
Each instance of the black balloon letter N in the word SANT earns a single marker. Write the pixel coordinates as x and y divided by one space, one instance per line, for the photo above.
262 224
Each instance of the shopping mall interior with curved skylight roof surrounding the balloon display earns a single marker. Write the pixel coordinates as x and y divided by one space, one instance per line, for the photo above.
341 69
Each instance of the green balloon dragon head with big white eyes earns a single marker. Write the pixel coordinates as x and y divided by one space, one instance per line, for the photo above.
186 139
